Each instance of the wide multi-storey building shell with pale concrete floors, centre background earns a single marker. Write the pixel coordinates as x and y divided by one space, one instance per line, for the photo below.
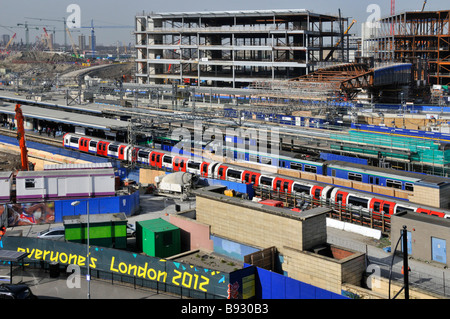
235 48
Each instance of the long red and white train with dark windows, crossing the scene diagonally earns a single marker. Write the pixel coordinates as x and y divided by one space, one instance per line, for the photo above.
338 196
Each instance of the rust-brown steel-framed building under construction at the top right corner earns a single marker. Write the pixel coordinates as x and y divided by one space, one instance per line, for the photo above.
418 37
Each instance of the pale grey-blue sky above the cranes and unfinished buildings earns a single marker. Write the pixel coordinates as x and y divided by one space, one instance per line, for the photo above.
108 13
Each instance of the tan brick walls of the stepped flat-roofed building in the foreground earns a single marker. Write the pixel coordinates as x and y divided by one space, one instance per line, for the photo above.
292 237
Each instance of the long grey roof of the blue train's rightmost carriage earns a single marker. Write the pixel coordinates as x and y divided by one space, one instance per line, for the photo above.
415 177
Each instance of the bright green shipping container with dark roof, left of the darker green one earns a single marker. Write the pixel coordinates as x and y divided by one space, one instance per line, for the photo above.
106 230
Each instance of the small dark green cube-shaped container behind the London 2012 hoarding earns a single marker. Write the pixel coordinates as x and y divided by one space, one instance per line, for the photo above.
158 238
